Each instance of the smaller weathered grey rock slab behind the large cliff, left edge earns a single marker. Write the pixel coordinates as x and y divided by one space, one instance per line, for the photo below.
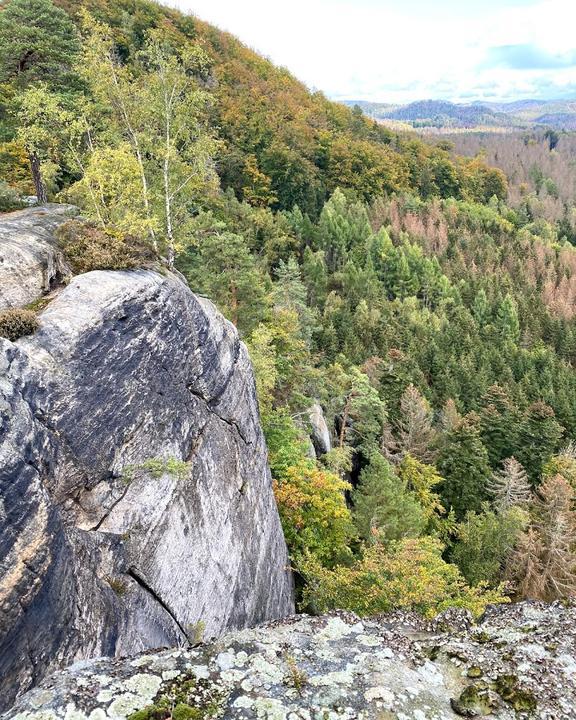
30 263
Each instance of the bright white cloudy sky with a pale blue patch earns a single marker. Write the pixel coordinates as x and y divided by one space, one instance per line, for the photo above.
398 51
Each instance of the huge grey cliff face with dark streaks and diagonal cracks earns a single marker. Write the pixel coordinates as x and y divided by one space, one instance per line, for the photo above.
136 508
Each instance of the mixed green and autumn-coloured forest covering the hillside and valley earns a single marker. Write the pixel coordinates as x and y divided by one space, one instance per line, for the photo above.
383 277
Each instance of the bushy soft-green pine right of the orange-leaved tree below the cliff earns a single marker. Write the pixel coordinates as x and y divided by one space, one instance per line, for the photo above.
383 508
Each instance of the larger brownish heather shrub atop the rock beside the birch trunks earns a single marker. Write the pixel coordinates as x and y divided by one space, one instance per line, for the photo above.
88 247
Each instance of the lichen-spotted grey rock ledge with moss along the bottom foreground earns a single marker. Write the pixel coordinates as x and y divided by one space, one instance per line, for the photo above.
396 667
